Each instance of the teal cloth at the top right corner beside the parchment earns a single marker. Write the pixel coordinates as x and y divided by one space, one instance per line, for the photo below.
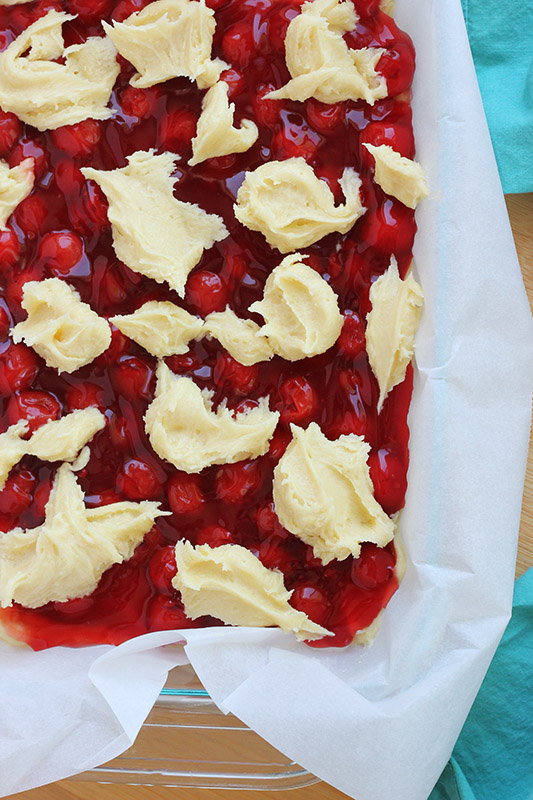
501 38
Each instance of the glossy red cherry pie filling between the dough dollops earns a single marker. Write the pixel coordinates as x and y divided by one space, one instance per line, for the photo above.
62 230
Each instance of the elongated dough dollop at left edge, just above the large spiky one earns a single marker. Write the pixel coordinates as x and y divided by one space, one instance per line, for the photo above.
57 440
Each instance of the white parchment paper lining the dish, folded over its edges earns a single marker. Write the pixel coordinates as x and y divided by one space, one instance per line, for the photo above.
378 723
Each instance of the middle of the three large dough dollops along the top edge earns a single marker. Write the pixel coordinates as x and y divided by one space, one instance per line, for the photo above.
168 39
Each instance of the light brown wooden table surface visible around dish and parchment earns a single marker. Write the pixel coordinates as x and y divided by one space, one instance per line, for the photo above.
521 214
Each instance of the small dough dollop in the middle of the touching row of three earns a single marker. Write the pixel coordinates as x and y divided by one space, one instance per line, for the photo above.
241 337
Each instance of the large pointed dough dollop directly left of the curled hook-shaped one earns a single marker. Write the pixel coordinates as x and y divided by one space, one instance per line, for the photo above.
153 233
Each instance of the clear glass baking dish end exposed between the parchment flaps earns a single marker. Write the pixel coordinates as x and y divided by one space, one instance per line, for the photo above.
187 741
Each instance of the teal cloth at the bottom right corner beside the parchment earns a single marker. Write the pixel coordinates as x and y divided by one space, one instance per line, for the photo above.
493 757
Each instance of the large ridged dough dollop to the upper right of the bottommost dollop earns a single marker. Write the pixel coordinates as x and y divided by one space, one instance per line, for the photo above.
324 495
